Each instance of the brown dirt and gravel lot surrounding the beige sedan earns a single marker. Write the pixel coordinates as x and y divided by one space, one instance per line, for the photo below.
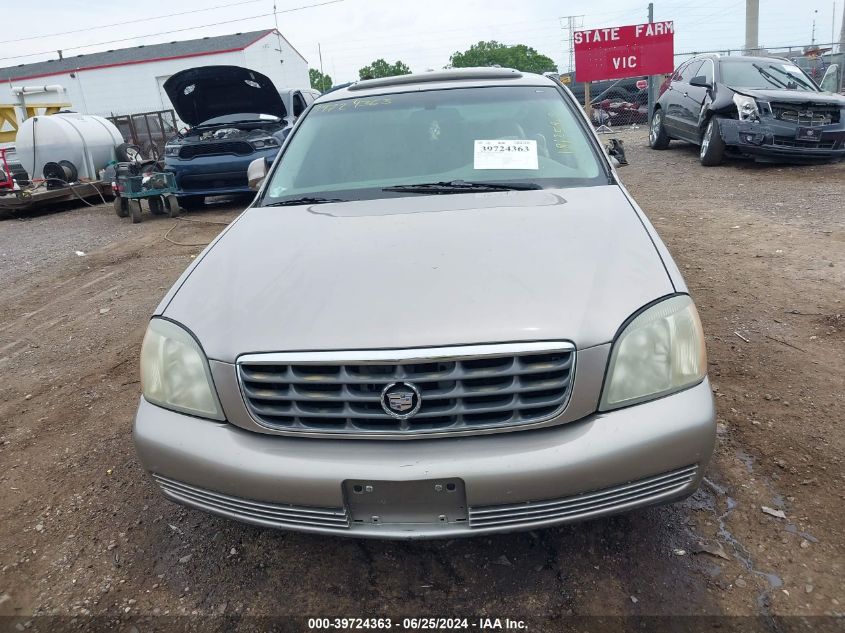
84 533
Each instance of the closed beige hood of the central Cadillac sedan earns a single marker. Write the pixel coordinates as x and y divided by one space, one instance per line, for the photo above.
423 271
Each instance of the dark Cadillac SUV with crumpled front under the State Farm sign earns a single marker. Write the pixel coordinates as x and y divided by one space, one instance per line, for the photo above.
765 108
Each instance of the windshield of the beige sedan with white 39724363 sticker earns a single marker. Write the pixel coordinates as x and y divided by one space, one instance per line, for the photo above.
360 146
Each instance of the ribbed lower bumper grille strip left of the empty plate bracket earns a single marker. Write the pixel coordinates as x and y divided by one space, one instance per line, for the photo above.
258 512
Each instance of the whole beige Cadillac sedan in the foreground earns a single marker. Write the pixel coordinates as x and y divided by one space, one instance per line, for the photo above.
442 316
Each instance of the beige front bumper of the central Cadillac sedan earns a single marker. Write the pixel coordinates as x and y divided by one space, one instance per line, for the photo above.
606 463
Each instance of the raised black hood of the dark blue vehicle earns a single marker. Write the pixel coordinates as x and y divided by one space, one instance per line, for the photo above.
200 94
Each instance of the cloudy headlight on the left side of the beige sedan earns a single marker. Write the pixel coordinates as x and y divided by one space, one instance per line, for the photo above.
175 373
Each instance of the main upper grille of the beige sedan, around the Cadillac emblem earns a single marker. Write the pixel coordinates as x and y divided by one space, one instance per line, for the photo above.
461 388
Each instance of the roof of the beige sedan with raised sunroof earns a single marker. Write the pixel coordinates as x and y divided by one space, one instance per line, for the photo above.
438 80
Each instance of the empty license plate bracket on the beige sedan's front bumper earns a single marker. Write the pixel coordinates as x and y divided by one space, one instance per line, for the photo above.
429 501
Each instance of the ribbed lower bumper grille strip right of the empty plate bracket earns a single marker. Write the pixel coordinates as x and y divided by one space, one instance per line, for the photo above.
602 501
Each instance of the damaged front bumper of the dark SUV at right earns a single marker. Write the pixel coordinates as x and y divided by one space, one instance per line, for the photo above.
775 140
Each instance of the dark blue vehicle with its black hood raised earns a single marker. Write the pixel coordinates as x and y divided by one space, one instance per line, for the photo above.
236 115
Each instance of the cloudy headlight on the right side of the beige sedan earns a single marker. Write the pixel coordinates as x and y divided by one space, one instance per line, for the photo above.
661 351
